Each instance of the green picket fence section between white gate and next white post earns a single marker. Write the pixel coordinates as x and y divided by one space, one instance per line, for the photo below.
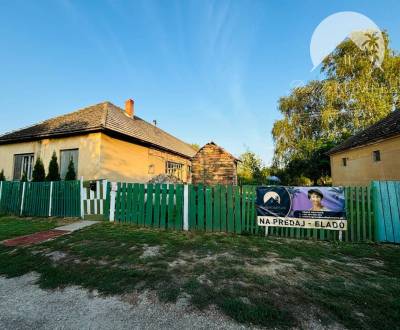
151 205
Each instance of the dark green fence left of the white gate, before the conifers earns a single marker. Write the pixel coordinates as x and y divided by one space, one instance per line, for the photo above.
65 198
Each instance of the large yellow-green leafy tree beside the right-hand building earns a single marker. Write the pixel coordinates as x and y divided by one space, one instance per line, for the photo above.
352 94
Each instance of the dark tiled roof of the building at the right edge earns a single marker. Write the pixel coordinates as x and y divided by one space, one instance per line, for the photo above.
383 129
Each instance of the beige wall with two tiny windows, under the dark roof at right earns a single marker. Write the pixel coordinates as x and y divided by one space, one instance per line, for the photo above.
361 169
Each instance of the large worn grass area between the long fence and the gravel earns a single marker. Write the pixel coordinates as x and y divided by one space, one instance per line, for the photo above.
255 280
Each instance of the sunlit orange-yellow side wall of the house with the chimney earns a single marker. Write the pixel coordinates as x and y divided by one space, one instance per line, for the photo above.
127 162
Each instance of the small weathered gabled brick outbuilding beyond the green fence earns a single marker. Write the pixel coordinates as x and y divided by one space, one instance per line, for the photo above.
213 165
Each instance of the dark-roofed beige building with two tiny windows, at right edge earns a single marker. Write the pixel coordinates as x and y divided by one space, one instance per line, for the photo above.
372 154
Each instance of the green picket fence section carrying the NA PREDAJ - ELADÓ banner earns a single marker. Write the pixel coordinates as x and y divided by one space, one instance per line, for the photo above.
232 209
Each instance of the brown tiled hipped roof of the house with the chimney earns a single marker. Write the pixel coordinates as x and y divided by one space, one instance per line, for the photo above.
104 117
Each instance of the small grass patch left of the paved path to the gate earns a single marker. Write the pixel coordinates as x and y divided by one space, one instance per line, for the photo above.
12 227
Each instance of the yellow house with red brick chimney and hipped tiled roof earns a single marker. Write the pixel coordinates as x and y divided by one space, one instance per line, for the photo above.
104 141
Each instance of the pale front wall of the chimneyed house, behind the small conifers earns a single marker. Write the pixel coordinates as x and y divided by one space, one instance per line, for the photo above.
88 145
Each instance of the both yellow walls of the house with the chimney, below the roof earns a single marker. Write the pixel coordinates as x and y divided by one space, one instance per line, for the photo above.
100 157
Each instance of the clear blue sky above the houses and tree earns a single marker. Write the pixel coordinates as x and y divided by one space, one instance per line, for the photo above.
205 70
